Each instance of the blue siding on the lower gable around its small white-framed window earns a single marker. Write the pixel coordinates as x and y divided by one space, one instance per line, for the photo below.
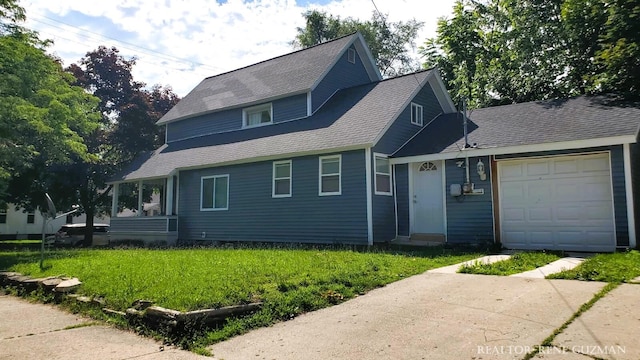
402 129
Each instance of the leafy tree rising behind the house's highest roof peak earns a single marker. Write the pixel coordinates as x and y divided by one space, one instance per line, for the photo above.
389 42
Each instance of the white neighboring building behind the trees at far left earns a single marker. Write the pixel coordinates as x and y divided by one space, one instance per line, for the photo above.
16 224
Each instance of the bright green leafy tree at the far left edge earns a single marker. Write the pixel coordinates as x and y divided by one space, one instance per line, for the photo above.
43 119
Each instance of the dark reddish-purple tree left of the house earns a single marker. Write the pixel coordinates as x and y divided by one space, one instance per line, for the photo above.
129 113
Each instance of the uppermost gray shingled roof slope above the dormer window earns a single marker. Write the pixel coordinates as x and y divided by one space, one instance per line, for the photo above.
296 72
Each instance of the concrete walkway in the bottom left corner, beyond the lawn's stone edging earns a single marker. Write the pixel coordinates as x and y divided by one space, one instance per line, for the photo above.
43 332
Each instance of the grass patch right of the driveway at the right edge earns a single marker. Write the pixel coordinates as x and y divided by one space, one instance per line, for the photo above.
614 267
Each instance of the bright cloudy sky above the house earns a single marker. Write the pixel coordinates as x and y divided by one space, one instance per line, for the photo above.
178 43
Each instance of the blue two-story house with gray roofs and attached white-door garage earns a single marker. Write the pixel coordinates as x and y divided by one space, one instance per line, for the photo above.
315 147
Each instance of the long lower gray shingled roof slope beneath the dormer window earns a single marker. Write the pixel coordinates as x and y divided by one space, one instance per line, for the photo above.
352 118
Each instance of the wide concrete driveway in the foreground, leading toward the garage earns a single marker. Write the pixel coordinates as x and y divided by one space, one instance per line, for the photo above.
455 316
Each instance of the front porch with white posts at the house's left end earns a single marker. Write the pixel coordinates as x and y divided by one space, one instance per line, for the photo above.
145 212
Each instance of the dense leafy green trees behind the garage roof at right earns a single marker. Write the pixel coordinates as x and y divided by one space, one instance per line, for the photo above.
505 51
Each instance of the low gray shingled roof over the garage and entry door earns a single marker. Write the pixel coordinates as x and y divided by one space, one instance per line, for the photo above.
539 122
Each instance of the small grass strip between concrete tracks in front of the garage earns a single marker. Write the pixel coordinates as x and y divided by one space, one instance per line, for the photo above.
517 263
